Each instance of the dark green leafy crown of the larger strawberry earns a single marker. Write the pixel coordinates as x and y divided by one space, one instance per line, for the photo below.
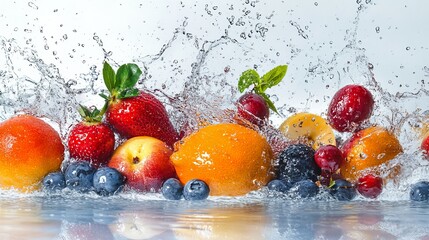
121 84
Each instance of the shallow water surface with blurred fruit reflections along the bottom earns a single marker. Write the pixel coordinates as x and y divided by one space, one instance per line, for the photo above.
123 218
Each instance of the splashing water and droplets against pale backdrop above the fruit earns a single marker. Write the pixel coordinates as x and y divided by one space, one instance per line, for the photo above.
192 61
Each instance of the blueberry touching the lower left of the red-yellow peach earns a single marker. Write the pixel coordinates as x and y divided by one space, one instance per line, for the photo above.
108 181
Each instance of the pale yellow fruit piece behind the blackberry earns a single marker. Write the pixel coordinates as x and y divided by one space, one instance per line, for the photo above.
310 128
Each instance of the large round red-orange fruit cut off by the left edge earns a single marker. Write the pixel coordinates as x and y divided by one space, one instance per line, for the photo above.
29 149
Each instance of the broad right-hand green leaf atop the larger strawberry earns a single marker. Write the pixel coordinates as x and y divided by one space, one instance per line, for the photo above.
127 76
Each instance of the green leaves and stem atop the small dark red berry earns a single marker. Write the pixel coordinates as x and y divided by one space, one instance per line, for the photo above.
261 84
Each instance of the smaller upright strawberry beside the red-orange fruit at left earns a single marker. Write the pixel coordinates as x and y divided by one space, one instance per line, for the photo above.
91 140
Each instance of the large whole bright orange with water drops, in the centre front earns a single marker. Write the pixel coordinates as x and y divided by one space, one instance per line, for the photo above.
232 159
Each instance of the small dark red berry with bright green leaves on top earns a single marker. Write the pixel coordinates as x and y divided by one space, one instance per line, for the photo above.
255 106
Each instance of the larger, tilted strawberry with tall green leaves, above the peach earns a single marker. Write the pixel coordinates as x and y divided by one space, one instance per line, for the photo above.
132 112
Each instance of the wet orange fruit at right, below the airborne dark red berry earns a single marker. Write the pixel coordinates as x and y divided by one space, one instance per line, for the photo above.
368 148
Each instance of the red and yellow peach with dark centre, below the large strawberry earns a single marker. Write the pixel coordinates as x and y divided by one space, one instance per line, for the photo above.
144 161
